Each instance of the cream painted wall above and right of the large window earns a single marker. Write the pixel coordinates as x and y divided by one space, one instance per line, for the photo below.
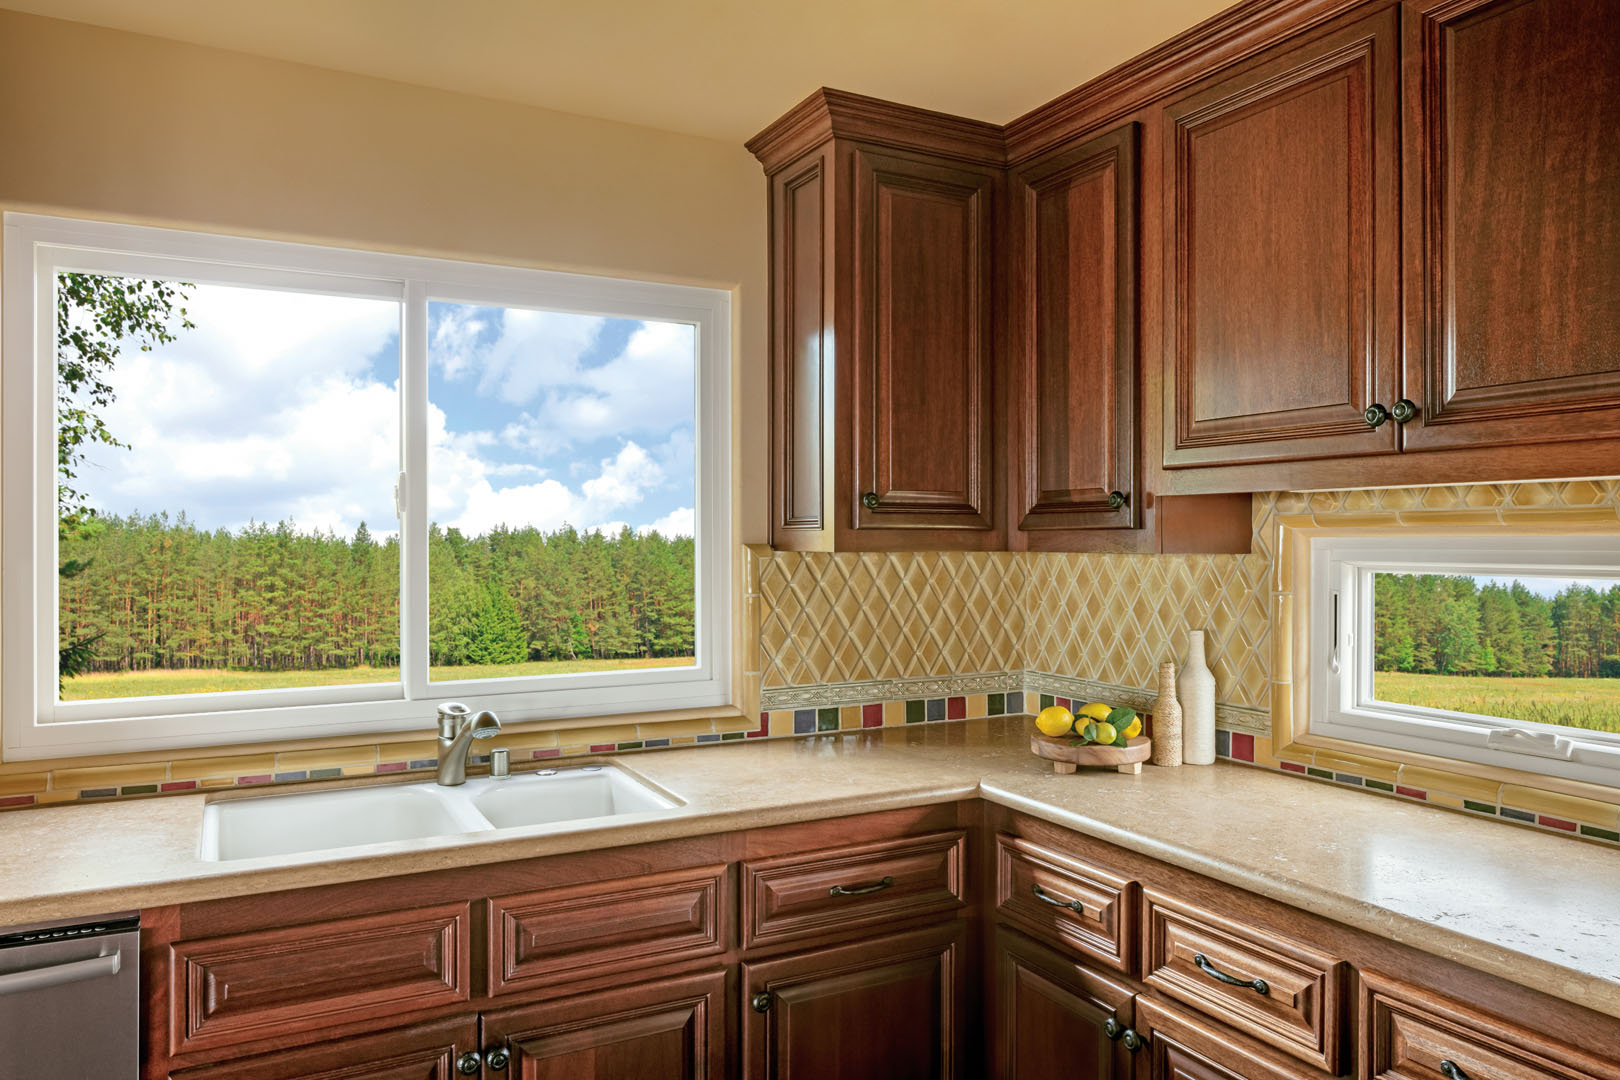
116 125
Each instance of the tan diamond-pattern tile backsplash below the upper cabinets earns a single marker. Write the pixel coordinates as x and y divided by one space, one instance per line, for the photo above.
850 618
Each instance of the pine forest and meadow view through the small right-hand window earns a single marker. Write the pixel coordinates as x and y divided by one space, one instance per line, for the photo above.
1545 652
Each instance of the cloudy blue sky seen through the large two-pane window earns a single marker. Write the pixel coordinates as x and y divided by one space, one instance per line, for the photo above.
284 406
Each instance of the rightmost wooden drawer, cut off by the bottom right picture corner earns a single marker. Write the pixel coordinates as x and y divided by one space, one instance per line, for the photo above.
1407 1034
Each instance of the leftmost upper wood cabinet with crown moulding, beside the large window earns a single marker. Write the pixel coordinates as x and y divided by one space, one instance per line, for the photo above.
884 365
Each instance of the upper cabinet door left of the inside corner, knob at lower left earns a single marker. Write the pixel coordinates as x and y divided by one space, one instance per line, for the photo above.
921 414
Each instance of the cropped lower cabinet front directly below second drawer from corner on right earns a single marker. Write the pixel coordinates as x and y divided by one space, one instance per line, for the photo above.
1180 1045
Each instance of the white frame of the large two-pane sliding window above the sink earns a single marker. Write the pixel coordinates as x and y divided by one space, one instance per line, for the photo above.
38 726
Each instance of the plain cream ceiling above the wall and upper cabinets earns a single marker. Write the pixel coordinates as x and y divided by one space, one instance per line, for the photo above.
720 69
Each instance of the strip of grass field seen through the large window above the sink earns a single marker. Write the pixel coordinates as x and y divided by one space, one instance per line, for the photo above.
100 686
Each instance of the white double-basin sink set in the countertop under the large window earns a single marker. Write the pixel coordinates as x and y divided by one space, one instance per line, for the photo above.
317 822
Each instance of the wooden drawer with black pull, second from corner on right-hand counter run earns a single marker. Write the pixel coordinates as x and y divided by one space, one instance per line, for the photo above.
1271 987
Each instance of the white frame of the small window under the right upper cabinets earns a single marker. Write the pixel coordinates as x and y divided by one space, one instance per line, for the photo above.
1342 679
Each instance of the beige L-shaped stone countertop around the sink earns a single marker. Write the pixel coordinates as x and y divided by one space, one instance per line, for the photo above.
1532 908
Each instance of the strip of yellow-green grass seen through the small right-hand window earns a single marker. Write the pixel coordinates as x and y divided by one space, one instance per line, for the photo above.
1590 704
